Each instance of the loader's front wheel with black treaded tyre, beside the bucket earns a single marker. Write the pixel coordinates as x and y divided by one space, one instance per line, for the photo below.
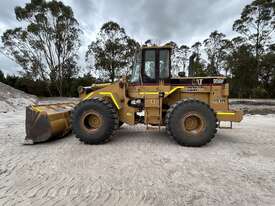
94 121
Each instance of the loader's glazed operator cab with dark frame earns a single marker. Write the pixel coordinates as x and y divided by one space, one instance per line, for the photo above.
153 64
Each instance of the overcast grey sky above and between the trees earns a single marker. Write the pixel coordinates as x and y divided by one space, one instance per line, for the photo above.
182 21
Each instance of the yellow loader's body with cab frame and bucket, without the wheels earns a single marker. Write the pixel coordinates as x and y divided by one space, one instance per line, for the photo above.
152 97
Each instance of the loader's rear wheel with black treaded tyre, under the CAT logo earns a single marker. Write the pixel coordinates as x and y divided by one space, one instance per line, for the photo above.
191 123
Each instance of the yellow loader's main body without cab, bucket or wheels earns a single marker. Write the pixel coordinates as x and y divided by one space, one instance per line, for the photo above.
155 97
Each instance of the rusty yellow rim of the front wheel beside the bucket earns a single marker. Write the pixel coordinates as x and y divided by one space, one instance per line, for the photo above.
91 121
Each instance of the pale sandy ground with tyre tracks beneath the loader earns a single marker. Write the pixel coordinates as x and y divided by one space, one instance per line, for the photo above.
139 168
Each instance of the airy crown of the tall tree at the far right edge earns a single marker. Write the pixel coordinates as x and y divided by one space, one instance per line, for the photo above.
257 24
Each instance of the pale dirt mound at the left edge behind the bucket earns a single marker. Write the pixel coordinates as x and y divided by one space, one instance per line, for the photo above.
12 99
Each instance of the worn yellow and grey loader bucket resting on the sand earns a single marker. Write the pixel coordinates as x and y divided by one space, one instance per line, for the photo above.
45 122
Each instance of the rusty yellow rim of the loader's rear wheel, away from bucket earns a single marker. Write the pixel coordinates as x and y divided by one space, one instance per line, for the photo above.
193 123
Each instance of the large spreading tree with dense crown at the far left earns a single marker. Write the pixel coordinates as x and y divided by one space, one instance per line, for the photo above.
47 47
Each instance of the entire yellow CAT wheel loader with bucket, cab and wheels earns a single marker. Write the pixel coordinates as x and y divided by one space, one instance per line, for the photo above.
190 108
